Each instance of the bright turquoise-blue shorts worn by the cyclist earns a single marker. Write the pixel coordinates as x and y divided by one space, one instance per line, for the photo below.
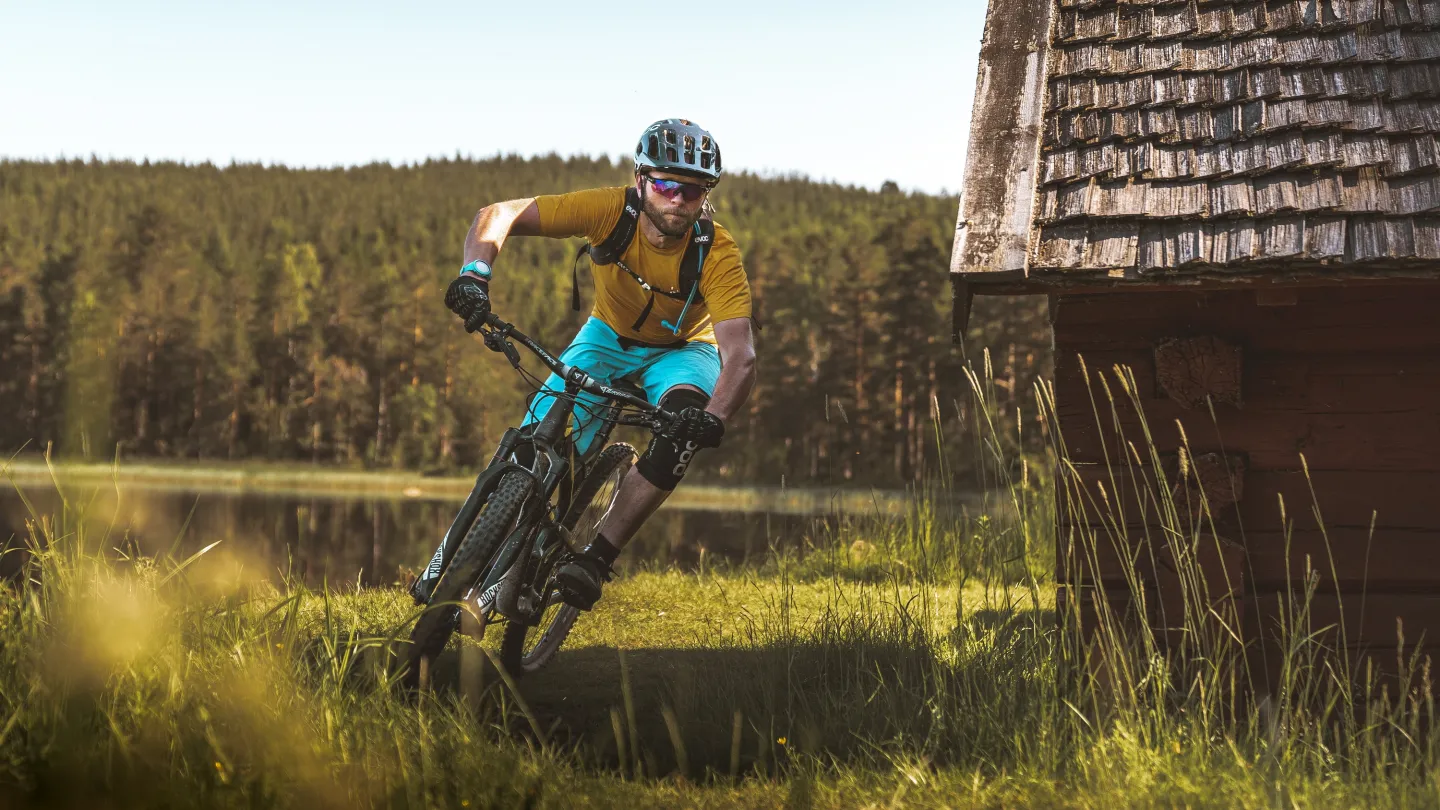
598 351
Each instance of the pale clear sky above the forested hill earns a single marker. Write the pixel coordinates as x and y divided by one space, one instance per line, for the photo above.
850 92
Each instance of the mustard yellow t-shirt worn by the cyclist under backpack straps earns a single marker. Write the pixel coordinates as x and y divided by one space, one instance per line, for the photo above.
620 299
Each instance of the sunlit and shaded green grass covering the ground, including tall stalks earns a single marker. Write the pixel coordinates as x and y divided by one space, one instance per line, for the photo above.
896 664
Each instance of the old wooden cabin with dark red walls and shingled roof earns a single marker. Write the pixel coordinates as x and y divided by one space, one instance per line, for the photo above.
1241 202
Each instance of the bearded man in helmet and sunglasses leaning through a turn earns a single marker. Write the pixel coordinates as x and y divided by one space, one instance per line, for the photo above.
672 315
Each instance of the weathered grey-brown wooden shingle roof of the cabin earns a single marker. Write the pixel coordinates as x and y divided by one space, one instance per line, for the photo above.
1183 136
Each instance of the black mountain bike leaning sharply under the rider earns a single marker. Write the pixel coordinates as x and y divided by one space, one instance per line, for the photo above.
519 524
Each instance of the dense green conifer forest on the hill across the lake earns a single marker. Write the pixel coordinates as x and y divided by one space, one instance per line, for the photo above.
266 313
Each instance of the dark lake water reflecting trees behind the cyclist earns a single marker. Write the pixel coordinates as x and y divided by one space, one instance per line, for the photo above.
356 540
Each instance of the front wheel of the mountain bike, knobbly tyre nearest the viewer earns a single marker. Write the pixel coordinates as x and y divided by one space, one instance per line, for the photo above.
434 629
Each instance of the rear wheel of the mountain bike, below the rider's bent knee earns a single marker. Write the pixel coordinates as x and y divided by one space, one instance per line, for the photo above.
528 648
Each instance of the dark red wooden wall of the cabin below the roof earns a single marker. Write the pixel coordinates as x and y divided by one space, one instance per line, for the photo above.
1346 375
